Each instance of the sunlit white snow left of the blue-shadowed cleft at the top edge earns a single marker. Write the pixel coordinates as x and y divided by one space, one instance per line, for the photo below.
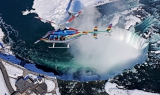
50 10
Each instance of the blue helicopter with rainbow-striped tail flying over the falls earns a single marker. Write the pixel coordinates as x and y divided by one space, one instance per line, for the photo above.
67 34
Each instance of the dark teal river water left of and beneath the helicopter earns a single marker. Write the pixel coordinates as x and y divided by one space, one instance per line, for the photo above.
27 31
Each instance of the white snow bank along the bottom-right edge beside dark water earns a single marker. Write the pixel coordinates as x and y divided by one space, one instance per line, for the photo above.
111 89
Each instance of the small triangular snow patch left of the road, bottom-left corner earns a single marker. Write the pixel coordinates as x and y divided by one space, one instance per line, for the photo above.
3 88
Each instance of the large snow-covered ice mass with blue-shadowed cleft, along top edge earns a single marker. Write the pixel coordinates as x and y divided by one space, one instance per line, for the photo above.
58 11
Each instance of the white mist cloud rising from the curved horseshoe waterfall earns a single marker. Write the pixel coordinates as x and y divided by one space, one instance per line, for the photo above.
108 55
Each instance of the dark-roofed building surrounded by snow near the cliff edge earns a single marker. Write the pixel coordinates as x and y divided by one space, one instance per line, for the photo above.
28 86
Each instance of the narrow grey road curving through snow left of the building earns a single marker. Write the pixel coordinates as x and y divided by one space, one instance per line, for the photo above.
6 78
